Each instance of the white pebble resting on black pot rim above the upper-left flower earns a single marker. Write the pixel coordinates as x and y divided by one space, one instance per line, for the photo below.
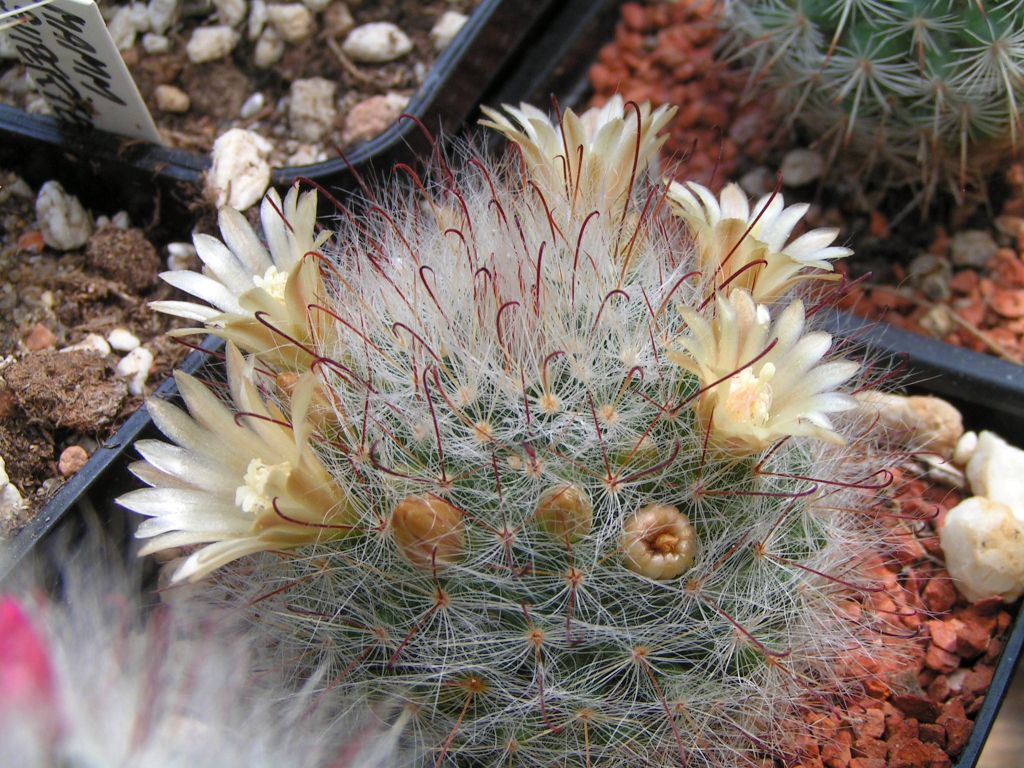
240 174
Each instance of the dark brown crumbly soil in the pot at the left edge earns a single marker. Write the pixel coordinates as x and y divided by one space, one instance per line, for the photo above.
52 401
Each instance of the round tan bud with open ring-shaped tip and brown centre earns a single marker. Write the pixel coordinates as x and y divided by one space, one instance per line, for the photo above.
659 542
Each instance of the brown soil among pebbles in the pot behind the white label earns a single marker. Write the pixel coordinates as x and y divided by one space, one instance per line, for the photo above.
218 90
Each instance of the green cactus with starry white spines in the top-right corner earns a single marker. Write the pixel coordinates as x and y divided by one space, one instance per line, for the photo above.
920 92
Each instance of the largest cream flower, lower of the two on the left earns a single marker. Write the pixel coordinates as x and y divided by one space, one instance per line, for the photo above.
237 485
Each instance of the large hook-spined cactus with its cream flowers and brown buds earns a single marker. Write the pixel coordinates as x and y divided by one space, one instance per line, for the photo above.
551 459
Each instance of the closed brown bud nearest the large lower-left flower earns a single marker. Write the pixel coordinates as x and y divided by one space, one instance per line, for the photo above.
429 531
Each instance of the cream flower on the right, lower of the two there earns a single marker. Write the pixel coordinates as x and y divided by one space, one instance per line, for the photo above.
761 383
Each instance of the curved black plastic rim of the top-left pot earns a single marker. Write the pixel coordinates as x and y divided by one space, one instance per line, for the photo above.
40 149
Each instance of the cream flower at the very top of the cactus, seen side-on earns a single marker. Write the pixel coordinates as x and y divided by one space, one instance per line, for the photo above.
592 159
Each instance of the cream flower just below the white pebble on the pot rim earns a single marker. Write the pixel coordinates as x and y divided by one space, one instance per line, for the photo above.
242 278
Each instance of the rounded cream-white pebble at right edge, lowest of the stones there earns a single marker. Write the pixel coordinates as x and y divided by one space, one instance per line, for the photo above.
984 543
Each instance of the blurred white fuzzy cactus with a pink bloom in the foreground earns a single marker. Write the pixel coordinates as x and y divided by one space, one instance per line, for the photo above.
92 678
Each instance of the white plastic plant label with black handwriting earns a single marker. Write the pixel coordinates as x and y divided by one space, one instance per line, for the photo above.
76 67
